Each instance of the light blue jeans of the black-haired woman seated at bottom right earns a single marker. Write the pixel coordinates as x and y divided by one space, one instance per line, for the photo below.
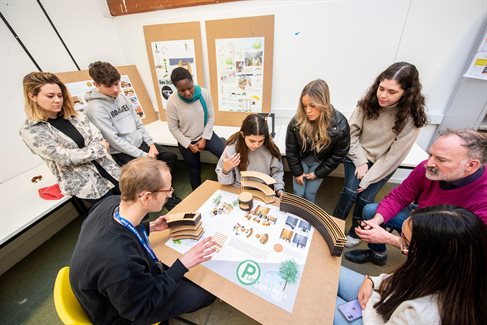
348 285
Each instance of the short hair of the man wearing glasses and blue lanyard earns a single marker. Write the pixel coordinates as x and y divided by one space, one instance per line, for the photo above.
141 174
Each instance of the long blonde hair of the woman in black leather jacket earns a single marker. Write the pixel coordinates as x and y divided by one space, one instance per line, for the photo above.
316 131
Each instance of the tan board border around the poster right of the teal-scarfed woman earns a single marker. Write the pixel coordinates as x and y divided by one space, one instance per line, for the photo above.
261 26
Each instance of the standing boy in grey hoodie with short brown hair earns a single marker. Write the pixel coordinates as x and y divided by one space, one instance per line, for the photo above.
111 112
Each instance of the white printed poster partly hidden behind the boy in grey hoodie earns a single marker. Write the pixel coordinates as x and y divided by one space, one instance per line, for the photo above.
79 89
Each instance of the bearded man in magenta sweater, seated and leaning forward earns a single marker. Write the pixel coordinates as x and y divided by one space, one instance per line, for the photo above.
454 174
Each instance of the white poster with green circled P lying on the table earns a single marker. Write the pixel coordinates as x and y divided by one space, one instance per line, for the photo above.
271 243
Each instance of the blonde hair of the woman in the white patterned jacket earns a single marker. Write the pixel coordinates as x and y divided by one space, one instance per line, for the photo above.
33 82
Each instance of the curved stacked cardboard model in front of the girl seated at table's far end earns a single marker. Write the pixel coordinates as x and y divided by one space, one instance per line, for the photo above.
258 185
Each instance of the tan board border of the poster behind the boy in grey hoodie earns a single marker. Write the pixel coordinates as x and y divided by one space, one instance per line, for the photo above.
137 84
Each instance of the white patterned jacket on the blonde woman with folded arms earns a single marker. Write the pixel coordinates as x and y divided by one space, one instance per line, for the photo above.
72 166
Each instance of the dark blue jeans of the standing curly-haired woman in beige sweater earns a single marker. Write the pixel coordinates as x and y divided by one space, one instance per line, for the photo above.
349 195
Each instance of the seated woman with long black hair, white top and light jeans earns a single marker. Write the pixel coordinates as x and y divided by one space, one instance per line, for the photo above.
441 282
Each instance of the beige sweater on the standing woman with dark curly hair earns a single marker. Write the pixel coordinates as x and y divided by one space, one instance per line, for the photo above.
374 140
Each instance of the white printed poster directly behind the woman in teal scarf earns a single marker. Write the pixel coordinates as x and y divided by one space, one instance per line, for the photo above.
169 55
